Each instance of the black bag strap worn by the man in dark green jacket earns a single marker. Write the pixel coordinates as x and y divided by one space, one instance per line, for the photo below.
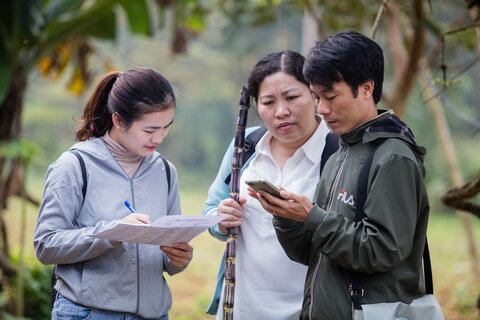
357 278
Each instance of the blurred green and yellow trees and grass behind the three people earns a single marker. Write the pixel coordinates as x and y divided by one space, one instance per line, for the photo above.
206 49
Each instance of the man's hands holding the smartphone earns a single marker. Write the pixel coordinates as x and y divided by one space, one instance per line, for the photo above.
293 206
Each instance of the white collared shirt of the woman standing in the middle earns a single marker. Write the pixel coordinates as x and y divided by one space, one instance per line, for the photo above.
268 284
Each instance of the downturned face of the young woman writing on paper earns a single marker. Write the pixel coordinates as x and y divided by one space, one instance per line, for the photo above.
146 133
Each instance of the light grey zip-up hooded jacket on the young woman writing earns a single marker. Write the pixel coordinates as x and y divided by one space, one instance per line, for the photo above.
109 275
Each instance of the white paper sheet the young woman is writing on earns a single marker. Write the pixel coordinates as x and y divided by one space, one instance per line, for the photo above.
164 231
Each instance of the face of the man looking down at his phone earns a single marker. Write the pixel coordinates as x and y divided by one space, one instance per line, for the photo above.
340 109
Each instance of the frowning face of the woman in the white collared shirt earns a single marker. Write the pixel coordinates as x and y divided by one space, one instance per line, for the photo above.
286 107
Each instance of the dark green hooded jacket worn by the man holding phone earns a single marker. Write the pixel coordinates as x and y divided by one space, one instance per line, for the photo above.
387 245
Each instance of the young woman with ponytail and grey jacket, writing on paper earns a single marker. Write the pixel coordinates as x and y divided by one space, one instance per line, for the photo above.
125 119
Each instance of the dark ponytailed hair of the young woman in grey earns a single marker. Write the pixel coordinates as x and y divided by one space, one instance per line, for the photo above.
130 95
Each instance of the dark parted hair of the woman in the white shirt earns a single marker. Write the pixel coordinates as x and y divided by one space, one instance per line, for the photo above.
289 62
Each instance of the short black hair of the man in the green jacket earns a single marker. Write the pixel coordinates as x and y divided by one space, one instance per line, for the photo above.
348 56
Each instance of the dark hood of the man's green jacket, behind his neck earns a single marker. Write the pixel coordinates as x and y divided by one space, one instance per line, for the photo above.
385 125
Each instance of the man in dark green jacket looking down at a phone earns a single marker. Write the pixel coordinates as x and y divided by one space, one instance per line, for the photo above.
345 73
